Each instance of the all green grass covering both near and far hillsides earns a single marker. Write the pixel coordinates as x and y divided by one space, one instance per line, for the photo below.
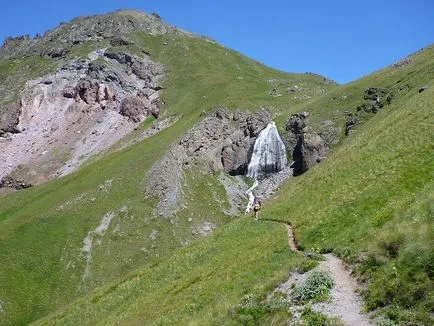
370 202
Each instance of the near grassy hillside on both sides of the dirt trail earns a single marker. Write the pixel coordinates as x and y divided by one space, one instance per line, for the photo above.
370 203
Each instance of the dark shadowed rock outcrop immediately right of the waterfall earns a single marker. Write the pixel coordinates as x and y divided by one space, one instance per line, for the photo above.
305 145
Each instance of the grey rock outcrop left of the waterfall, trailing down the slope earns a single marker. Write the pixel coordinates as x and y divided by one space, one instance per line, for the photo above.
222 141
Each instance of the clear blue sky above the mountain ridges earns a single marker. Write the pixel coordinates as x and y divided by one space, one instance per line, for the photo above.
342 40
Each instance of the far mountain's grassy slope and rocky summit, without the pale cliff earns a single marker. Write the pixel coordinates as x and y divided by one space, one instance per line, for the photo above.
59 240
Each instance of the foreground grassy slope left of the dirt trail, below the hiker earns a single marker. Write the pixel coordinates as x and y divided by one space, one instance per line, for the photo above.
199 285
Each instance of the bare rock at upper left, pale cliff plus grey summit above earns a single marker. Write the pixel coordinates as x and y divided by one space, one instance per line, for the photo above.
49 125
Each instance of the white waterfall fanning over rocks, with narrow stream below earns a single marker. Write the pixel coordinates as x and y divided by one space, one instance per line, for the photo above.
269 156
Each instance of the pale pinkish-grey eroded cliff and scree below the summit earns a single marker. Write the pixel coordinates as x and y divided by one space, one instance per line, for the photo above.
78 111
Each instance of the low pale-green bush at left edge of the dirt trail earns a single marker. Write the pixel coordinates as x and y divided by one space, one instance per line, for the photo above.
316 287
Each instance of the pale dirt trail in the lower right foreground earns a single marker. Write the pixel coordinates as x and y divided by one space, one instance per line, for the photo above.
345 303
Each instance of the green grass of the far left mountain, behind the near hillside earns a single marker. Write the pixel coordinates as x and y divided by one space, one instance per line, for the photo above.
43 229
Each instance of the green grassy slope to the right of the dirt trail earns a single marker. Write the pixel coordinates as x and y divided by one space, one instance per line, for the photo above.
371 202
